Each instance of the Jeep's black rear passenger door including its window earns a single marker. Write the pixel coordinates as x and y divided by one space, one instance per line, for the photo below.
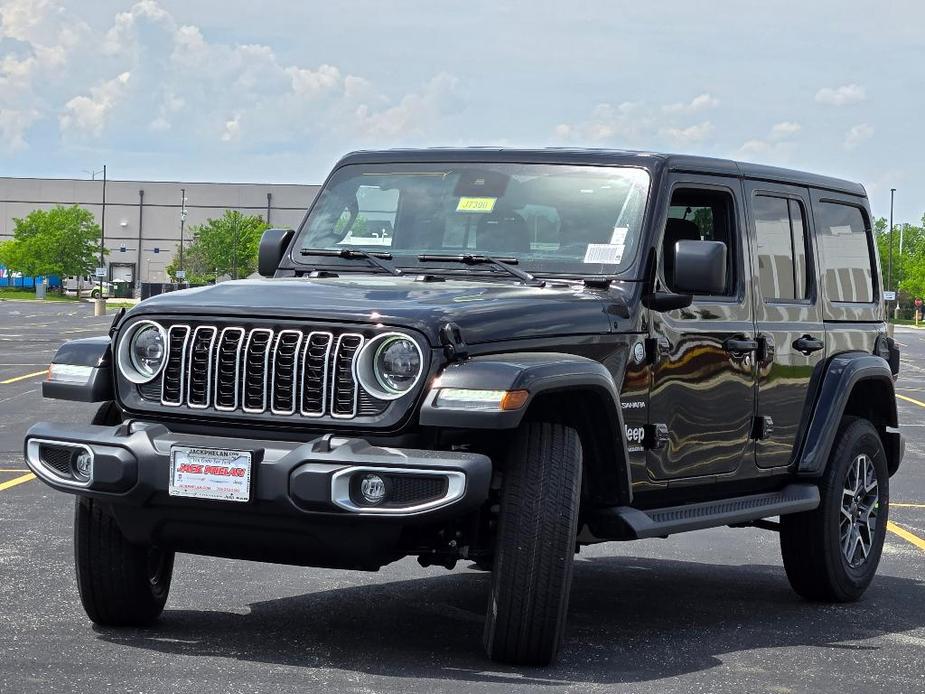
791 335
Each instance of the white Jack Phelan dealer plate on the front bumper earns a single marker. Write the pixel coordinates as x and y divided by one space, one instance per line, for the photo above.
210 473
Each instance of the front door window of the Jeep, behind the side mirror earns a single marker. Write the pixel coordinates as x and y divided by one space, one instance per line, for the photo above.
701 215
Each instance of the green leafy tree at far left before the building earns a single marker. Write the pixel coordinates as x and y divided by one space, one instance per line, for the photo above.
62 241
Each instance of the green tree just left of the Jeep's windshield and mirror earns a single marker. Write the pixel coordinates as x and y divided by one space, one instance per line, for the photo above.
224 246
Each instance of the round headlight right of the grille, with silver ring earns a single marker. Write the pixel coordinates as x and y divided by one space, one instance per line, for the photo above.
390 366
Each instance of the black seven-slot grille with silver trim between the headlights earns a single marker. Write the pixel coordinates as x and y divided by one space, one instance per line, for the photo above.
304 372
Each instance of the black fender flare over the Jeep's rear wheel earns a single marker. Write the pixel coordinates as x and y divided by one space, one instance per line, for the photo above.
843 373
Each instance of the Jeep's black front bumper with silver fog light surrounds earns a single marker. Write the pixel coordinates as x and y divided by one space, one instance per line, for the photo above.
131 466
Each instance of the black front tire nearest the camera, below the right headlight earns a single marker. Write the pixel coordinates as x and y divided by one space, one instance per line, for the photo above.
534 551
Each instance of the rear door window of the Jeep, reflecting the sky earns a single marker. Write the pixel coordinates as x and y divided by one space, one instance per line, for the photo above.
780 230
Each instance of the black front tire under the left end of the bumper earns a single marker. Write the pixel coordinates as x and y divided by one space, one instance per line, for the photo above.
120 584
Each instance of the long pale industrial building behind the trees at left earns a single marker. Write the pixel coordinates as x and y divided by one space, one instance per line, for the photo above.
142 229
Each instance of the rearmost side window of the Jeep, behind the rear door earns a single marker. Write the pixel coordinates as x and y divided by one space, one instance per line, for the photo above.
846 253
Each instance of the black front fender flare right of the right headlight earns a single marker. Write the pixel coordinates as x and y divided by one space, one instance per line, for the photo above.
541 374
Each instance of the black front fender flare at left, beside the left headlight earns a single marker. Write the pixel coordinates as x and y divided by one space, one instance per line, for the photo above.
94 353
